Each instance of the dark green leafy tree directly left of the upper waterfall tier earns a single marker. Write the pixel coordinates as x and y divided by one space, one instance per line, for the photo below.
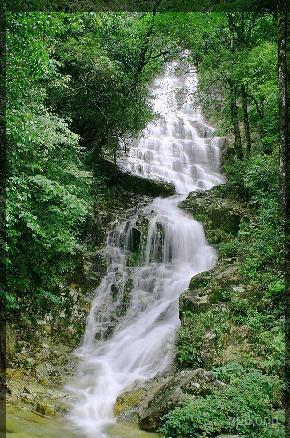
107 60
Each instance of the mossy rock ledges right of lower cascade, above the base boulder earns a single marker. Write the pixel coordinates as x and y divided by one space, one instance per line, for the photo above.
208 337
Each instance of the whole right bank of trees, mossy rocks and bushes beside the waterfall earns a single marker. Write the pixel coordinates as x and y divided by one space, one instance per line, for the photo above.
233 317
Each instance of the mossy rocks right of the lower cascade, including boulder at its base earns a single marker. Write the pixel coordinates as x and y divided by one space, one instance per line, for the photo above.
207 337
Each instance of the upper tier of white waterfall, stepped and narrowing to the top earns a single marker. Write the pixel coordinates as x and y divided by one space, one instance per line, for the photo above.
178 147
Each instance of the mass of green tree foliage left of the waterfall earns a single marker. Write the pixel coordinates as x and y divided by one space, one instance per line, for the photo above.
77 89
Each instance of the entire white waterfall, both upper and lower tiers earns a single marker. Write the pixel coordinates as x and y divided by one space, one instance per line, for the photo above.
129 336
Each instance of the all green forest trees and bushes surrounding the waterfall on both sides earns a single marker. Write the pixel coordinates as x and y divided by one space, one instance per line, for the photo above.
77 89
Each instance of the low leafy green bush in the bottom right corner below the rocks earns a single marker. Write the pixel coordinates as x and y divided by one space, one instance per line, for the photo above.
248 405
